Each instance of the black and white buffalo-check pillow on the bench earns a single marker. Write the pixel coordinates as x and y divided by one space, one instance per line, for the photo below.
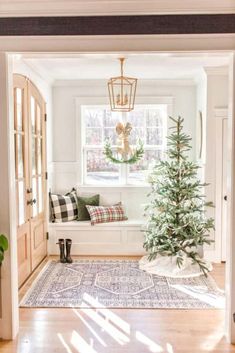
64 207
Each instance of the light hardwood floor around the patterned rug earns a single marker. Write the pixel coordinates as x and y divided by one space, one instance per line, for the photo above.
120 330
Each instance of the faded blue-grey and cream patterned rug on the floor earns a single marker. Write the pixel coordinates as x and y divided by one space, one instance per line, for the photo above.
118 284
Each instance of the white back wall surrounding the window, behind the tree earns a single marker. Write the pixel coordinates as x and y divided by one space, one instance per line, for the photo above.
65 158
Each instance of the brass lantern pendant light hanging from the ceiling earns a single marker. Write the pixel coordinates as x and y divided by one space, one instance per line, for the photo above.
122 90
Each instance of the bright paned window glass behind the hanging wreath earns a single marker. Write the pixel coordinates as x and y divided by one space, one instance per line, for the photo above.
149 123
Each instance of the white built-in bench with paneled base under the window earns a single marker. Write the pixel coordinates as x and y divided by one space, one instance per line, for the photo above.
116 238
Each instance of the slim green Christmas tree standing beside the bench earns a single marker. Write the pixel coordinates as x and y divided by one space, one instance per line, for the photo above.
177 224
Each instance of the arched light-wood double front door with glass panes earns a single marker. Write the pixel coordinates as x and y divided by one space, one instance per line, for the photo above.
30 168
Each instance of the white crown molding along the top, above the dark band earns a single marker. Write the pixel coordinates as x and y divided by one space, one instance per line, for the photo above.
112 7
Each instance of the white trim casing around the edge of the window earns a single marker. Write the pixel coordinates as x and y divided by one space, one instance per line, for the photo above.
83 101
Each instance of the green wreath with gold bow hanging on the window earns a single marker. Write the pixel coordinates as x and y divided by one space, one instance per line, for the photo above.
127 153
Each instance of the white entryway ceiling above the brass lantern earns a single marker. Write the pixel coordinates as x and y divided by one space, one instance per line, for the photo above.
102 66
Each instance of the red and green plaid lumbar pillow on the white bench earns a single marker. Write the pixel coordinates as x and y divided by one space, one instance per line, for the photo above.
102 214
